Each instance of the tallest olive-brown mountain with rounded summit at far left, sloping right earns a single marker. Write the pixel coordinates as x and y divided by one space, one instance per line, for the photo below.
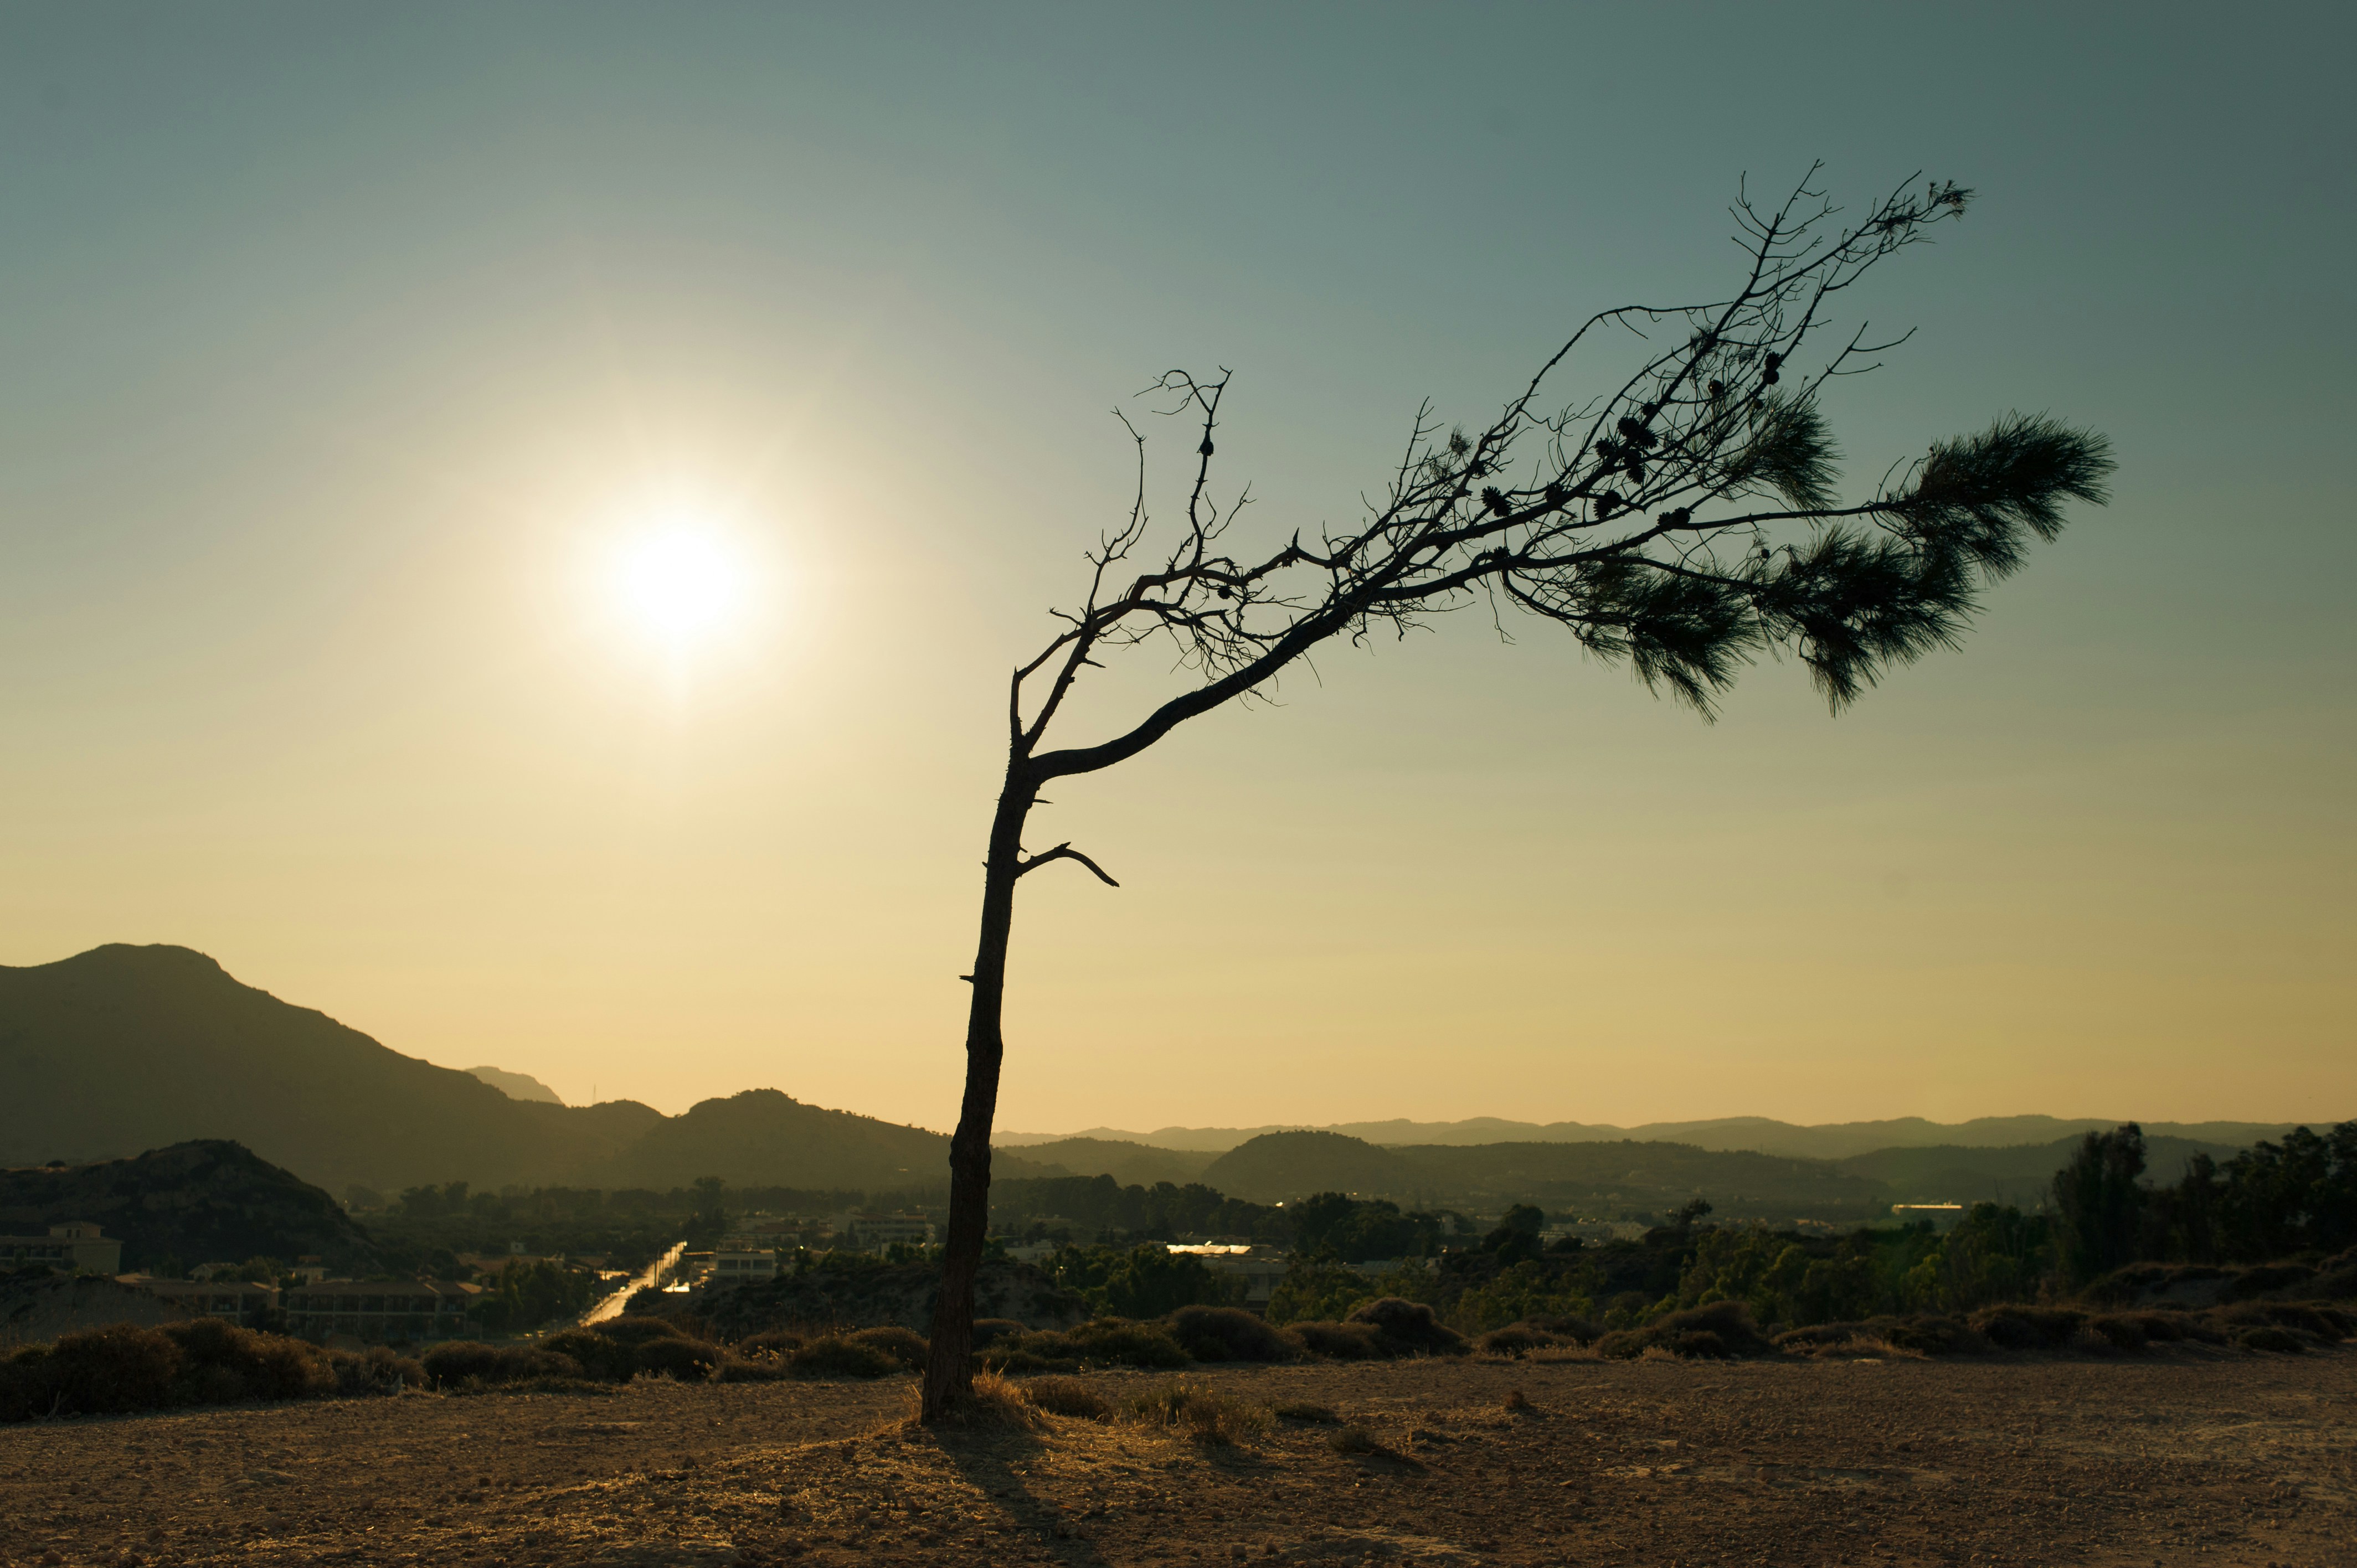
136 1048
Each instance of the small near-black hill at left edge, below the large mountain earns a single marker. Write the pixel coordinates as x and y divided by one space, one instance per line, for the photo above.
192 1204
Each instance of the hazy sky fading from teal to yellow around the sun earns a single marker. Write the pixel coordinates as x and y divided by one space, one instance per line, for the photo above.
345 345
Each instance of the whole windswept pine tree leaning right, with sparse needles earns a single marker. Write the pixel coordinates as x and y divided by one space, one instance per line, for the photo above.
1682 520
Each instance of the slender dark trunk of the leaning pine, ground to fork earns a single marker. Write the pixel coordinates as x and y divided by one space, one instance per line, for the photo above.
949 1371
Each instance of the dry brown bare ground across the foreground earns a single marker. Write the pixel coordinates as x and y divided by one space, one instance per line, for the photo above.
2181 1458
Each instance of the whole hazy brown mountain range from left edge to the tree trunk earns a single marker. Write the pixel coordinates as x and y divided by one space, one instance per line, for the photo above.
138 1048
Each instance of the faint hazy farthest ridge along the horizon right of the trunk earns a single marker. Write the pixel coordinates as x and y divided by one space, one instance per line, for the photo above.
1731 1133
